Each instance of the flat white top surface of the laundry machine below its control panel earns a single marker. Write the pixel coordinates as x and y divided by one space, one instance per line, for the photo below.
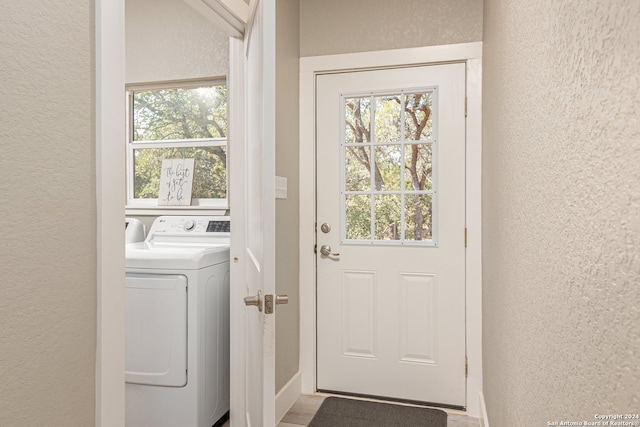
176 256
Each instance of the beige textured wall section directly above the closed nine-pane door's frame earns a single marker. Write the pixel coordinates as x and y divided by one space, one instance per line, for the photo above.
346 26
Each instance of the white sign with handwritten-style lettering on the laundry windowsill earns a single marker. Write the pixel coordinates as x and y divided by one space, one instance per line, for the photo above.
176 182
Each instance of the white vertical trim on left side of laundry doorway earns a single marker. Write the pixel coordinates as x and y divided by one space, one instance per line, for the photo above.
110 185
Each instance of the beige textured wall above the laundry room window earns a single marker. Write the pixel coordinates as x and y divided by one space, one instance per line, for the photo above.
169 40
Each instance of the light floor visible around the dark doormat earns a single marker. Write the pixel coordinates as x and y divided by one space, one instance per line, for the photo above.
304 409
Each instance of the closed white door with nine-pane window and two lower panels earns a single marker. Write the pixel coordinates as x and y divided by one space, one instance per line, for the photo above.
391 233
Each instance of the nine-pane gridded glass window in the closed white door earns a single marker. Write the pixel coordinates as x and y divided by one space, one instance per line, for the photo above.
388 191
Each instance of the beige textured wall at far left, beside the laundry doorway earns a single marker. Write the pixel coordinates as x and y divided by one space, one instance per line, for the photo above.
48 214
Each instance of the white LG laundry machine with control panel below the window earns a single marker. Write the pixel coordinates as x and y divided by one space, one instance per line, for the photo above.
177 324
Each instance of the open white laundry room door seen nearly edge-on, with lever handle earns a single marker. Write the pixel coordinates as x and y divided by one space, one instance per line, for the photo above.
259 215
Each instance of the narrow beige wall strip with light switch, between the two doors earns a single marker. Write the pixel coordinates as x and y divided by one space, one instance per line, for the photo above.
287 217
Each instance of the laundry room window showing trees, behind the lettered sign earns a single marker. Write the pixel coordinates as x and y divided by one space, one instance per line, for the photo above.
175 121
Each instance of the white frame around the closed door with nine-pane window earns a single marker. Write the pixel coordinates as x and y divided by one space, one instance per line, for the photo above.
310 67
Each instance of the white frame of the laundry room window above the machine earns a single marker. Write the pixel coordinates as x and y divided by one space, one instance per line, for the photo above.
142 206
